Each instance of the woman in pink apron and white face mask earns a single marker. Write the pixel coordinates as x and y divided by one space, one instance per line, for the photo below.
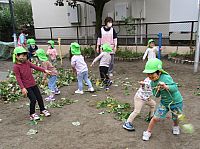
108 35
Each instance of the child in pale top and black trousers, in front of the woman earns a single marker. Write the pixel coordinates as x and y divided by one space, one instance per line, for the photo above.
105 59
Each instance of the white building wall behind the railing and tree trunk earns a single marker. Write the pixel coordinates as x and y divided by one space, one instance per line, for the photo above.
46 14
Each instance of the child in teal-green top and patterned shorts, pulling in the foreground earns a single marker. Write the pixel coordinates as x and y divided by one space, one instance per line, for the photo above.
171 100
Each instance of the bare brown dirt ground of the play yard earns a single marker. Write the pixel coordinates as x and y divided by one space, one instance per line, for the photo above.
101 131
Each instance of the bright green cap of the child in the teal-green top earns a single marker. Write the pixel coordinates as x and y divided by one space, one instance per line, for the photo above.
153 65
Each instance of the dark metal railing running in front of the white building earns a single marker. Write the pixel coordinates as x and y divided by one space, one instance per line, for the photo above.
174 33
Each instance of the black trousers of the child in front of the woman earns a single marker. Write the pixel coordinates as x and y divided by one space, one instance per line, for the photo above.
104 75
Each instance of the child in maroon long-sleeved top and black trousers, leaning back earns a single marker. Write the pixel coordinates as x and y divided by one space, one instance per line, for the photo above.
23 72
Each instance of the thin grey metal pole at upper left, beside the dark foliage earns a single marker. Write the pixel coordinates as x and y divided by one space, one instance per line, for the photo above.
13 22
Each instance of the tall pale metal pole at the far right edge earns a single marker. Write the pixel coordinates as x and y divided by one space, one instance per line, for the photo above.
196 60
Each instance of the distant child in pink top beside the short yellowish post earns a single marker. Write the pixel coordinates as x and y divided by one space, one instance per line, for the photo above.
52 52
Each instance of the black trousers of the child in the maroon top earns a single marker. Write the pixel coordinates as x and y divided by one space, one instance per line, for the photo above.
35 95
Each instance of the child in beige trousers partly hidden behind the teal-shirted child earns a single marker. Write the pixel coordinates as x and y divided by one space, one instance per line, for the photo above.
142 97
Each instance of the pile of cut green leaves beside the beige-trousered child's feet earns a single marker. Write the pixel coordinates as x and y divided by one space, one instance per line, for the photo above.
121 110
